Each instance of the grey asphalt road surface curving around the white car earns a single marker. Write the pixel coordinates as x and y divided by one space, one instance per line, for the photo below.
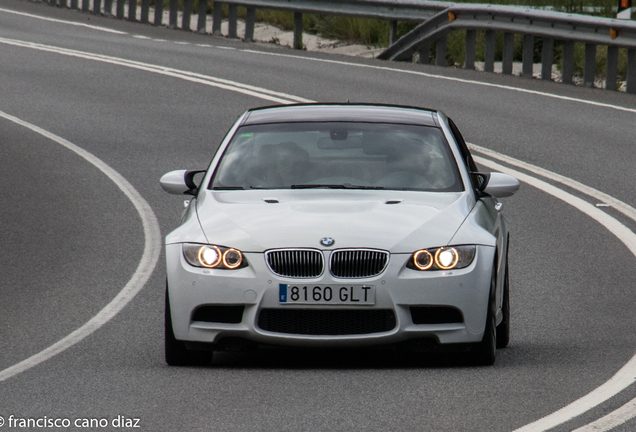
71 239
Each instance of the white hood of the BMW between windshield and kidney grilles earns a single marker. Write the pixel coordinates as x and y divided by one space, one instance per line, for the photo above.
397 221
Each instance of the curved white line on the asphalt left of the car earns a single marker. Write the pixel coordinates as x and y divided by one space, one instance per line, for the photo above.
147 264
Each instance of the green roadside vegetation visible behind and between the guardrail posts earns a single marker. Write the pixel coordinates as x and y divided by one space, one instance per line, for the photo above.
375 33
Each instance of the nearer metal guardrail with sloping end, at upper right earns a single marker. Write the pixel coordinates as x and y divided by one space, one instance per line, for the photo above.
550 26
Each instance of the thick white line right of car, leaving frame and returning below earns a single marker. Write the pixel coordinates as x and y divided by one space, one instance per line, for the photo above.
626 376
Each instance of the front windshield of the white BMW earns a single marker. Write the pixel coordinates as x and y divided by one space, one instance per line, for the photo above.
338 155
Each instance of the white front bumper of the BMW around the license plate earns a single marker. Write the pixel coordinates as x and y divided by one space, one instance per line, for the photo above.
398 289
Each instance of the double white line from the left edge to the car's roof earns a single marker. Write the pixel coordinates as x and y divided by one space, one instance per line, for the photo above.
257 92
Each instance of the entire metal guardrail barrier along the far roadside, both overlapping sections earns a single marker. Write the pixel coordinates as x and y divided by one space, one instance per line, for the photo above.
438 20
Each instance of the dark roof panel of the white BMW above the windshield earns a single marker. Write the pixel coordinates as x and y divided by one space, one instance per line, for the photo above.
367 113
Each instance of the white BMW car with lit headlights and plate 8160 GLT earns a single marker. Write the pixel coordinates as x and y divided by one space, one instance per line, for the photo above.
339 225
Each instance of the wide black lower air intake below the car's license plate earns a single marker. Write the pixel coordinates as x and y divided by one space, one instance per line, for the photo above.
327 322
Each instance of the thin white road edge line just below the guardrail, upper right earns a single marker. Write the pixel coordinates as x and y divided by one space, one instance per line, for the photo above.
446 78
